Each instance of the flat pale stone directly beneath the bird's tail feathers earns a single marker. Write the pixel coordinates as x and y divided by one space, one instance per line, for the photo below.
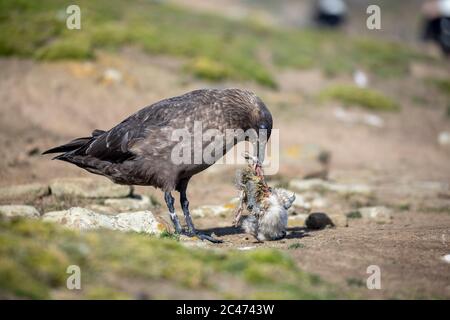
88 188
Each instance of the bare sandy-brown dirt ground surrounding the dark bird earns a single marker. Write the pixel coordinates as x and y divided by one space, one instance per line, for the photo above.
43 105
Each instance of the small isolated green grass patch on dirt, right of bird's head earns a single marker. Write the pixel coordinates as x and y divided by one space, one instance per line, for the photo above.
362 97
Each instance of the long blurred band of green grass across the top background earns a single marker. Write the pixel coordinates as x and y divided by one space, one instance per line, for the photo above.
215 48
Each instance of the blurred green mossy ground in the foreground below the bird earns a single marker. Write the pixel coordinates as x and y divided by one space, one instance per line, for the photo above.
35 256
